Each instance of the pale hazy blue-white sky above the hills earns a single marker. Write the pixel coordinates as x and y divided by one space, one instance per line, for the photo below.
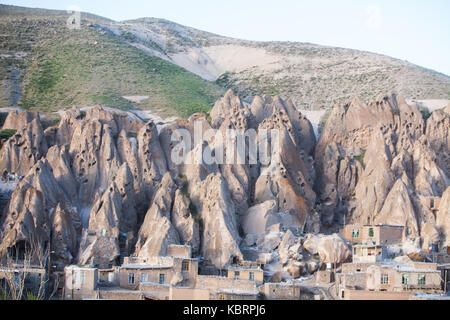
413 30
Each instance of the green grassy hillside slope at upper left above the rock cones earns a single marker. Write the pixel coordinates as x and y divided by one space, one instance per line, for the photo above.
65 68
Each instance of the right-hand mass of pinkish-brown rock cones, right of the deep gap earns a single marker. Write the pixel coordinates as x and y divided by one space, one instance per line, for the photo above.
381 163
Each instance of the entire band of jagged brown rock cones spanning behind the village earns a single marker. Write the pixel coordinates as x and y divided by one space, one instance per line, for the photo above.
99 186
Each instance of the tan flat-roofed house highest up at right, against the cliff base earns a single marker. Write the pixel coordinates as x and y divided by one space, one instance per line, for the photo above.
382 234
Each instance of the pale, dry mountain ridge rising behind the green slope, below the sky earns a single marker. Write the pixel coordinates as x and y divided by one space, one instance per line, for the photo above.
313 76
